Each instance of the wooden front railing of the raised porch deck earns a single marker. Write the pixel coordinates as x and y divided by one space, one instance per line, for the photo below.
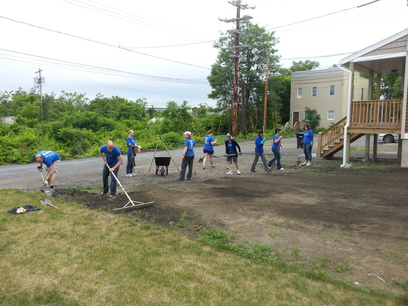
376 113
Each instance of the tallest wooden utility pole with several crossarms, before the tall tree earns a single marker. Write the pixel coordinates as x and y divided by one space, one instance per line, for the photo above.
238 4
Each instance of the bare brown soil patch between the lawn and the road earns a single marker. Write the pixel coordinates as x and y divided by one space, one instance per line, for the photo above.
350 223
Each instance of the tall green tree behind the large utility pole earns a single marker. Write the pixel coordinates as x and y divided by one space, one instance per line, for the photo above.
251 79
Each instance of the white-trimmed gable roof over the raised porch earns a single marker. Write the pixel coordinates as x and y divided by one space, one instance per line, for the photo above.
385 56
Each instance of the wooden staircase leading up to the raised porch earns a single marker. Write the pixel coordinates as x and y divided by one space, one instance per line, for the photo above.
332 140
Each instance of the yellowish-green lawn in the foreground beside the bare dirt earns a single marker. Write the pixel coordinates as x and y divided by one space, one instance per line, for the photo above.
89 257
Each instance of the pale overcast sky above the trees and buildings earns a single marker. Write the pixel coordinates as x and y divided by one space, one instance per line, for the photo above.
162 50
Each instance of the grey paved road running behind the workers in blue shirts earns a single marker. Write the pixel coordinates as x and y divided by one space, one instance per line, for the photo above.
87 171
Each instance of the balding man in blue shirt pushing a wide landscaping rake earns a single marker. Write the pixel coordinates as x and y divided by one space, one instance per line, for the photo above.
111 157
